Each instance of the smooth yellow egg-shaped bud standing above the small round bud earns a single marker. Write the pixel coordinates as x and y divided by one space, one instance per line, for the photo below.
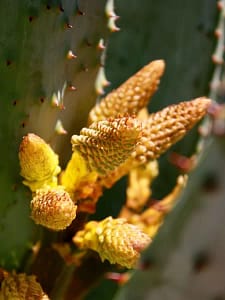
38 162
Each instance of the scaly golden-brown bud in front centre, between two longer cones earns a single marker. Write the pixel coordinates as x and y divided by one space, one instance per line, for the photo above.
107 144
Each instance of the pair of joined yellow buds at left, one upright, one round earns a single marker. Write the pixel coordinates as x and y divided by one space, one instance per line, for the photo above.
51 205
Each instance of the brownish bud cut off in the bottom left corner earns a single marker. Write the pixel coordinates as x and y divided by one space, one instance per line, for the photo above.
21 287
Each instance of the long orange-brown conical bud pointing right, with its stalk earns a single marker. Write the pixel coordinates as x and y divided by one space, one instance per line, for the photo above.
160 132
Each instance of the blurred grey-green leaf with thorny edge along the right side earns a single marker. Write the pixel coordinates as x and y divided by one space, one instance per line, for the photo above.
186 259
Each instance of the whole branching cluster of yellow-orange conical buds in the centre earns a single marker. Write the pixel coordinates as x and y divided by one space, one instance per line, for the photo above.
120 139
